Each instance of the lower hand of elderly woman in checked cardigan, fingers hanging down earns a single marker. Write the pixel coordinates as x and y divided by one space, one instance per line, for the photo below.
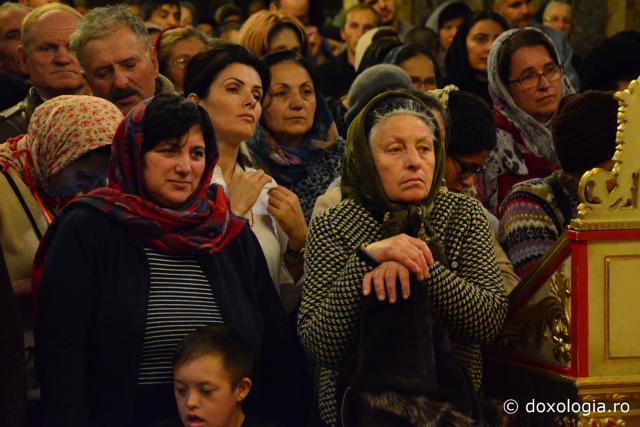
384 278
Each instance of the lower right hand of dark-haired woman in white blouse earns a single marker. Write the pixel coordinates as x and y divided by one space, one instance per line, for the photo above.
285 207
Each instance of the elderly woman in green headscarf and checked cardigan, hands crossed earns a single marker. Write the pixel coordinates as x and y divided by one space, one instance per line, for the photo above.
396 224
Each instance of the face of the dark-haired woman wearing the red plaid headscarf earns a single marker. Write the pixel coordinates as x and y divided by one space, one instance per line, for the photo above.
171 170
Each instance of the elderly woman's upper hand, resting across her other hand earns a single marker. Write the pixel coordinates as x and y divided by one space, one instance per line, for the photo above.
412 253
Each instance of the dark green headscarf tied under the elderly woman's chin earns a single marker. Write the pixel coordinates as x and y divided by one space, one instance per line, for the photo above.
360 180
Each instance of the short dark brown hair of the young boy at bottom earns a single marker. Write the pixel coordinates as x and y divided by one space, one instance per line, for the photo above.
217 340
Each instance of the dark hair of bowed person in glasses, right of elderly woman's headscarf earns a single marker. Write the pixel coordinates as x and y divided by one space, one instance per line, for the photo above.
472 127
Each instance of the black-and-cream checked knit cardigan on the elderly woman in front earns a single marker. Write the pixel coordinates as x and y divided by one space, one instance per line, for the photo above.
469 297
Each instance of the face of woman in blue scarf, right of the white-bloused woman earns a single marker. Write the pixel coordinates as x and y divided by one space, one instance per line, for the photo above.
290 104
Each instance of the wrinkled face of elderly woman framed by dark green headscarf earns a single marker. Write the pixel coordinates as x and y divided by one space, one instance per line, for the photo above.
402 148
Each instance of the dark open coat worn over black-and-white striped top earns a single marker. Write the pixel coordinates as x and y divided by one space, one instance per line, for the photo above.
92 308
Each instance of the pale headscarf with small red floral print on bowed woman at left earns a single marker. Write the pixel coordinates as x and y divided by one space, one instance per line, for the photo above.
60 131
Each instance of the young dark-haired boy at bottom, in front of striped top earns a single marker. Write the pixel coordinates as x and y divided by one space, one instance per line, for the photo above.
211 378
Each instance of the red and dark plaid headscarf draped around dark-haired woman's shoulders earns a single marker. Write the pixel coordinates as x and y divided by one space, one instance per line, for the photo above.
202 225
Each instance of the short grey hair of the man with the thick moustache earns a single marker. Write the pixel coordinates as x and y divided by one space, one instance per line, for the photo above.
103 21
